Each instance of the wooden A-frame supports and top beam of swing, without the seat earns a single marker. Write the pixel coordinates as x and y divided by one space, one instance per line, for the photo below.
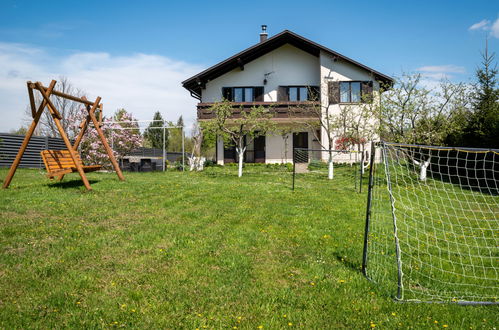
91 107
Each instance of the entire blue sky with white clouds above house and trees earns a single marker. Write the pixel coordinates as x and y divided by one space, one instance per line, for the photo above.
135 53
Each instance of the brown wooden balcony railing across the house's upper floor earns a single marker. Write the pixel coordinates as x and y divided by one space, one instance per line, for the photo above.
280 110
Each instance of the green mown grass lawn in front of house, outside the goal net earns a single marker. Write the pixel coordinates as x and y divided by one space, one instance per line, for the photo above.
196 250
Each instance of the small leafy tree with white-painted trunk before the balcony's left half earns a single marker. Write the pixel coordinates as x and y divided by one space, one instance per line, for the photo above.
234 124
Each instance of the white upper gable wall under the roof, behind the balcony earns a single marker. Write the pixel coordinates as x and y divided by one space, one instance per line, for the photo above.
287 65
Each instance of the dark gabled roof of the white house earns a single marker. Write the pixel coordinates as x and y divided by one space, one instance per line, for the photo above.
197 82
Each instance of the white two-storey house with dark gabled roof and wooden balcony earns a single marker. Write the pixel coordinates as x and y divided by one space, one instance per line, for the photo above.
290 74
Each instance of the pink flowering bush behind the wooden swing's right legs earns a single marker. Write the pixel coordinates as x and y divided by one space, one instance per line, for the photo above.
122 141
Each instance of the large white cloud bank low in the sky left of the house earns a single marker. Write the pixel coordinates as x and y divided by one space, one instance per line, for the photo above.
140 83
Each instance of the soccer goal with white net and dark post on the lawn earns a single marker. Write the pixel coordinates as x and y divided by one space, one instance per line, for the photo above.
432 224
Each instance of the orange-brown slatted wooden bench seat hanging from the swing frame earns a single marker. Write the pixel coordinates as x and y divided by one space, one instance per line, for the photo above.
59 162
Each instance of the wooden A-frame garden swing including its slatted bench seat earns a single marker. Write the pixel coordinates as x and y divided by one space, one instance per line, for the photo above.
61 162
